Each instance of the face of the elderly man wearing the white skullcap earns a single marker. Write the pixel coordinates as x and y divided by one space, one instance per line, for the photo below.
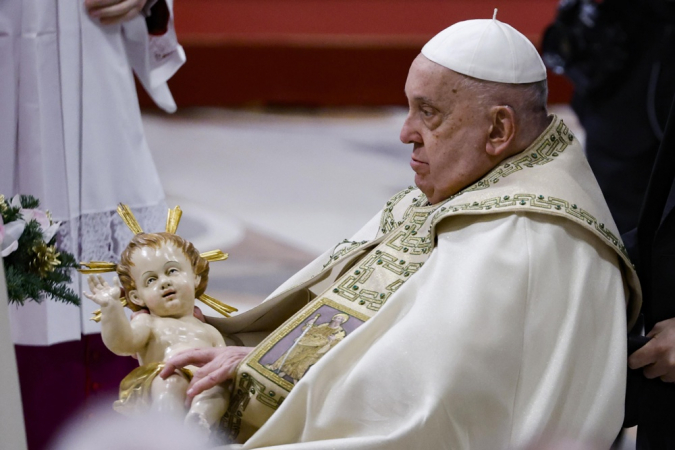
448 130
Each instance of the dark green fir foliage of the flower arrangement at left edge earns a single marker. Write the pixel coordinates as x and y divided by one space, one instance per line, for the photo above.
24 279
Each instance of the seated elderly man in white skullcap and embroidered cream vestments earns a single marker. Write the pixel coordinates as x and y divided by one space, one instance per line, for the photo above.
486 307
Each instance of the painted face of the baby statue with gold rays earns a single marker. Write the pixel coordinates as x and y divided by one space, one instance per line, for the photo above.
165 281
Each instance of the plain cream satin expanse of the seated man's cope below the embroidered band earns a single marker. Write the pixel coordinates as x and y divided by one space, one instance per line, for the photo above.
512 334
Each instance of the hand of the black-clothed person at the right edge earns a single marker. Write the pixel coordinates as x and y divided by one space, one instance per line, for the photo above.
658 355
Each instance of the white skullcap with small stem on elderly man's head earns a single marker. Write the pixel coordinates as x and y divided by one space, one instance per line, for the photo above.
487 49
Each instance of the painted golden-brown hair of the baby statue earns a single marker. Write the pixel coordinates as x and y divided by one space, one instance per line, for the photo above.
200 266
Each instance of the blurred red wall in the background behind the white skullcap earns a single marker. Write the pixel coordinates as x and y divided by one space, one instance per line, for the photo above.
323 52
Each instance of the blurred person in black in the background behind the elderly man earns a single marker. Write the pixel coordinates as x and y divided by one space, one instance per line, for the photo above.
620 56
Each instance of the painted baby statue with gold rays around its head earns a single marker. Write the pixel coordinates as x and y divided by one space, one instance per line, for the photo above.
163 274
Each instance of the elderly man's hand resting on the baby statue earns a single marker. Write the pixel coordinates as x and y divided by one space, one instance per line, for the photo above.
217 365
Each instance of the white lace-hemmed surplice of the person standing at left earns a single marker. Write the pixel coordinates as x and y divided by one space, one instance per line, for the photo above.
72 133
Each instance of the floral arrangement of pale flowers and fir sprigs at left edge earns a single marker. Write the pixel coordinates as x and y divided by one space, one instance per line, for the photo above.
34 269
